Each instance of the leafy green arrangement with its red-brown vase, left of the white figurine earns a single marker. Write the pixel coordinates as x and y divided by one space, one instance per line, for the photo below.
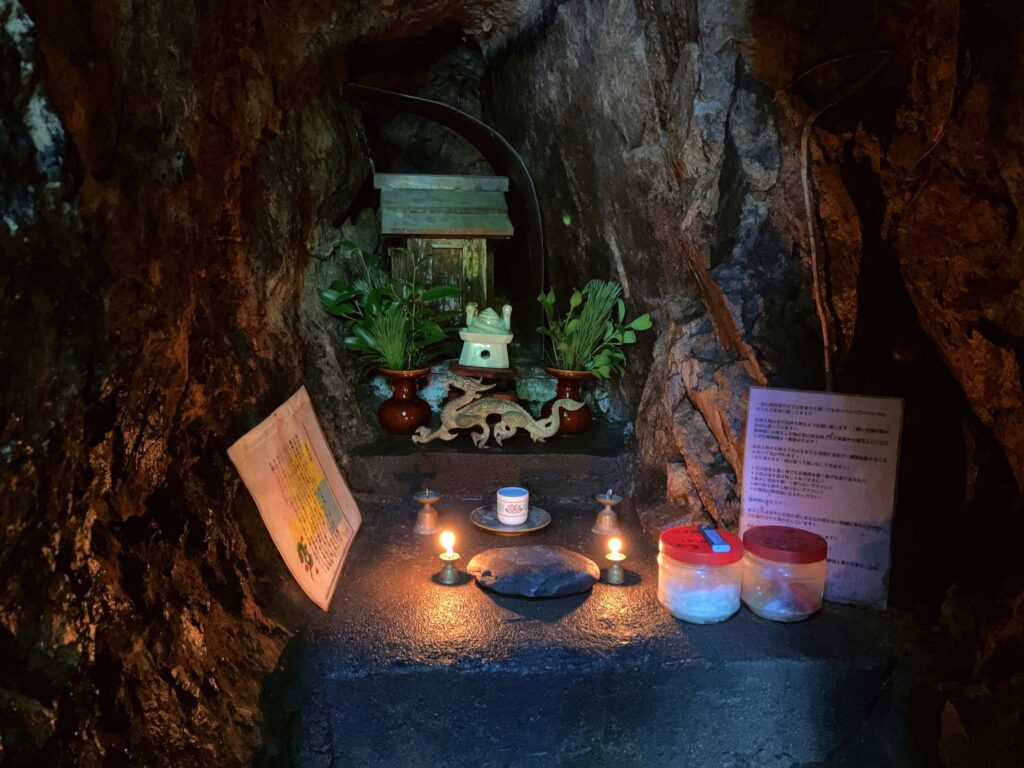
396 326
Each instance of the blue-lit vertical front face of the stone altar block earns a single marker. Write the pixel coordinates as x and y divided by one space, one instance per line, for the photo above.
758 714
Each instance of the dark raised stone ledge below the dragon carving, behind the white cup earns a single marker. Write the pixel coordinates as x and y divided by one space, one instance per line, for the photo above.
564 467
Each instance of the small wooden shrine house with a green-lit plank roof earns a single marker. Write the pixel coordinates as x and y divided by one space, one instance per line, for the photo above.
449 220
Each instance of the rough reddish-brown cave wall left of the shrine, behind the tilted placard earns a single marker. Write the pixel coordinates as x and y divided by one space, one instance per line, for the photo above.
162 202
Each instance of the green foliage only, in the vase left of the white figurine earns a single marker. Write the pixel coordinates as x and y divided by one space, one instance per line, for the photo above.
392 323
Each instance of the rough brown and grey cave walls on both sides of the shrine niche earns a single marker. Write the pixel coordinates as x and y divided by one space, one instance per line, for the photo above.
175 180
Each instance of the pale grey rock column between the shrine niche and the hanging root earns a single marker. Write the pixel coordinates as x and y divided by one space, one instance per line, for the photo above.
660 163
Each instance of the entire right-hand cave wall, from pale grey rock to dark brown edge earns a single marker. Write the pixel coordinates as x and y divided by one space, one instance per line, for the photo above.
670 156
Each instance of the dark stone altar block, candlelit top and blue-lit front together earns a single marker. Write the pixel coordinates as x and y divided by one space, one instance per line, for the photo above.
406 672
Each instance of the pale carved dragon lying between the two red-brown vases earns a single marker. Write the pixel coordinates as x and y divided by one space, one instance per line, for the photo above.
472 410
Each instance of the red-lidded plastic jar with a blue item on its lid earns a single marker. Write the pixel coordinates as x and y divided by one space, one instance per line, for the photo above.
700 574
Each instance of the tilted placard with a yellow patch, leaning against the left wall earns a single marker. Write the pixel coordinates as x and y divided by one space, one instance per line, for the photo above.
303 498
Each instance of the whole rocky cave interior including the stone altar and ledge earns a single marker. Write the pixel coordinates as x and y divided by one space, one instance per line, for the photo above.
179 183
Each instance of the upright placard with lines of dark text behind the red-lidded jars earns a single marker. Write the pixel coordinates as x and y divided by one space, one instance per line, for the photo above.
828 463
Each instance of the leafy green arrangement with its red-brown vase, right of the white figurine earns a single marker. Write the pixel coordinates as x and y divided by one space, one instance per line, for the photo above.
587 343
